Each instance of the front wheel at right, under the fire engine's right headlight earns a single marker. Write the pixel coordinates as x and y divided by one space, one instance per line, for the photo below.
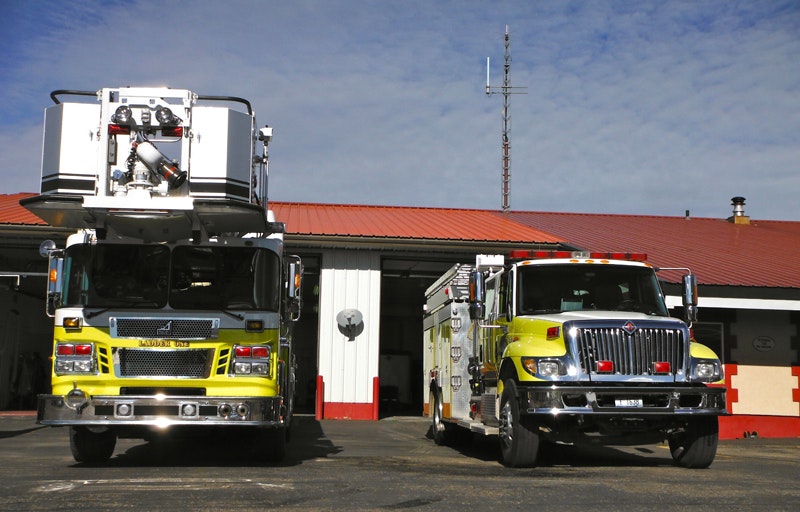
696 445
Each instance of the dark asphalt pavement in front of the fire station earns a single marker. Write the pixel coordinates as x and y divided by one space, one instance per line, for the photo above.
391 464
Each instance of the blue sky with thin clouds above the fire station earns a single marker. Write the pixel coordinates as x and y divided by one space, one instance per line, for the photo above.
648 108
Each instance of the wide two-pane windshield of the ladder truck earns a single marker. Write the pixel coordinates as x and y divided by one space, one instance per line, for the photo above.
188 277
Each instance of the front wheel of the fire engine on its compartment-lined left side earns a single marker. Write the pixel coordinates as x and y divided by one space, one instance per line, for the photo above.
519 441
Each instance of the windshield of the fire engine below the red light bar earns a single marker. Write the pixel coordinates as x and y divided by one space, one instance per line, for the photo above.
571 287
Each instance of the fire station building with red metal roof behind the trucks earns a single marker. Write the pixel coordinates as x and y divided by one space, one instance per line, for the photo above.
359 338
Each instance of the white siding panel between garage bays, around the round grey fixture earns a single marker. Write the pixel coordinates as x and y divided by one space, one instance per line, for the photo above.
349 279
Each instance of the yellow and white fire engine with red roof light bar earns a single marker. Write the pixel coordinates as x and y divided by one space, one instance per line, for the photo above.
564 347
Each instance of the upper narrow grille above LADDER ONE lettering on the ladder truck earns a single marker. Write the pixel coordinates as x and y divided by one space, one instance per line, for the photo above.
161 328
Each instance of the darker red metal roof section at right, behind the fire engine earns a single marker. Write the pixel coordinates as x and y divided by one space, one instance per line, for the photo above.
762 254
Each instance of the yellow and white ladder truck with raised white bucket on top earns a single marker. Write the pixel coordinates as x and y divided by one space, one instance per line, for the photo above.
173 301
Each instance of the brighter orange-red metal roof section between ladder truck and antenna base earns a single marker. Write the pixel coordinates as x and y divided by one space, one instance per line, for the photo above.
405 222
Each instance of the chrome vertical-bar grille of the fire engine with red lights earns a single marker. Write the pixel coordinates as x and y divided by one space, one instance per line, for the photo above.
631 354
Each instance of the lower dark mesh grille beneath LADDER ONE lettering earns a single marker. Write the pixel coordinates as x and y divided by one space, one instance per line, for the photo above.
193 364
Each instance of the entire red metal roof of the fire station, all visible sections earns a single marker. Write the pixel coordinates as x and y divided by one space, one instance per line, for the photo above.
761 254
